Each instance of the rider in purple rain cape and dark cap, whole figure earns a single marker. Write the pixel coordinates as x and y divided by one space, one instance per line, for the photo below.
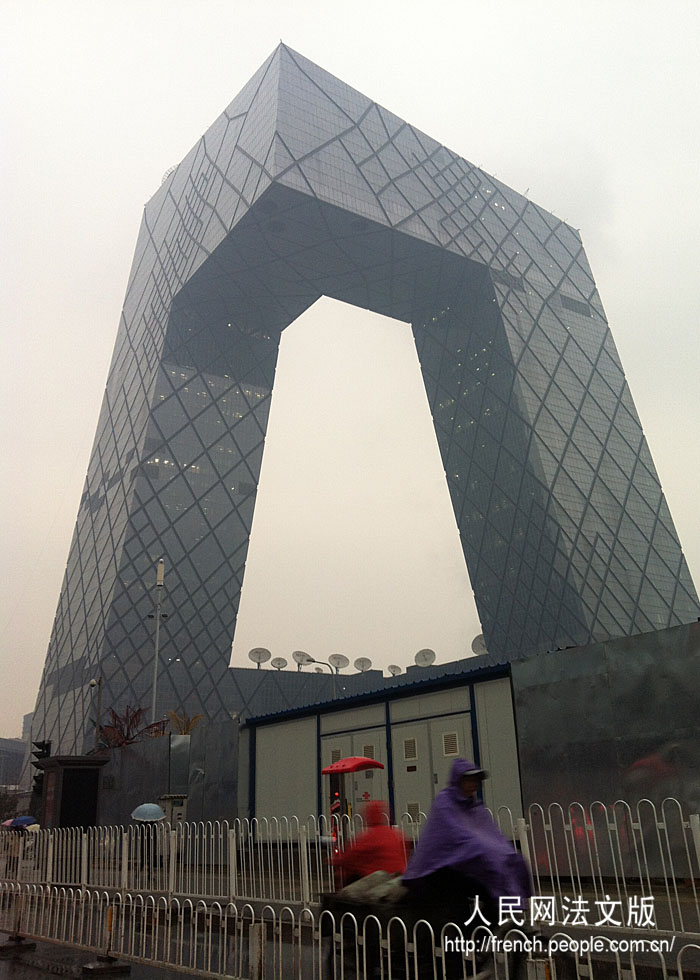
461 854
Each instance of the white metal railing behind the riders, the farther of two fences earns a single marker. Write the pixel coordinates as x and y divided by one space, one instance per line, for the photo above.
618 853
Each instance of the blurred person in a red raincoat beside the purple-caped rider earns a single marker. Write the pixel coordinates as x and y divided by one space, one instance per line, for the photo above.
378 848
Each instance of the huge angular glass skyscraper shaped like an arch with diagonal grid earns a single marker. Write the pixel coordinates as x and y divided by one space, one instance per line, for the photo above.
305 188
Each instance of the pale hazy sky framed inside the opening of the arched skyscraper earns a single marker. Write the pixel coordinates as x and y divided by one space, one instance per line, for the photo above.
354 547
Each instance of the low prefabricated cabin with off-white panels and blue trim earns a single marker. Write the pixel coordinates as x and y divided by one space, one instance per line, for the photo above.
414 729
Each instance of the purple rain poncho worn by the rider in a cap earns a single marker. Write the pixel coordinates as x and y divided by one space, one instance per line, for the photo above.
461 835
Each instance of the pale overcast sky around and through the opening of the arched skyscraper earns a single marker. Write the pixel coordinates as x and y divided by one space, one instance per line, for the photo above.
592 108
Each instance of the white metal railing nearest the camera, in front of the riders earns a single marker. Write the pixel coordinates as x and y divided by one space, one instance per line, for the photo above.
233 941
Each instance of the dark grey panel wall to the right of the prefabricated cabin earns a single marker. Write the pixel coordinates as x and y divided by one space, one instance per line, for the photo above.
615 719
